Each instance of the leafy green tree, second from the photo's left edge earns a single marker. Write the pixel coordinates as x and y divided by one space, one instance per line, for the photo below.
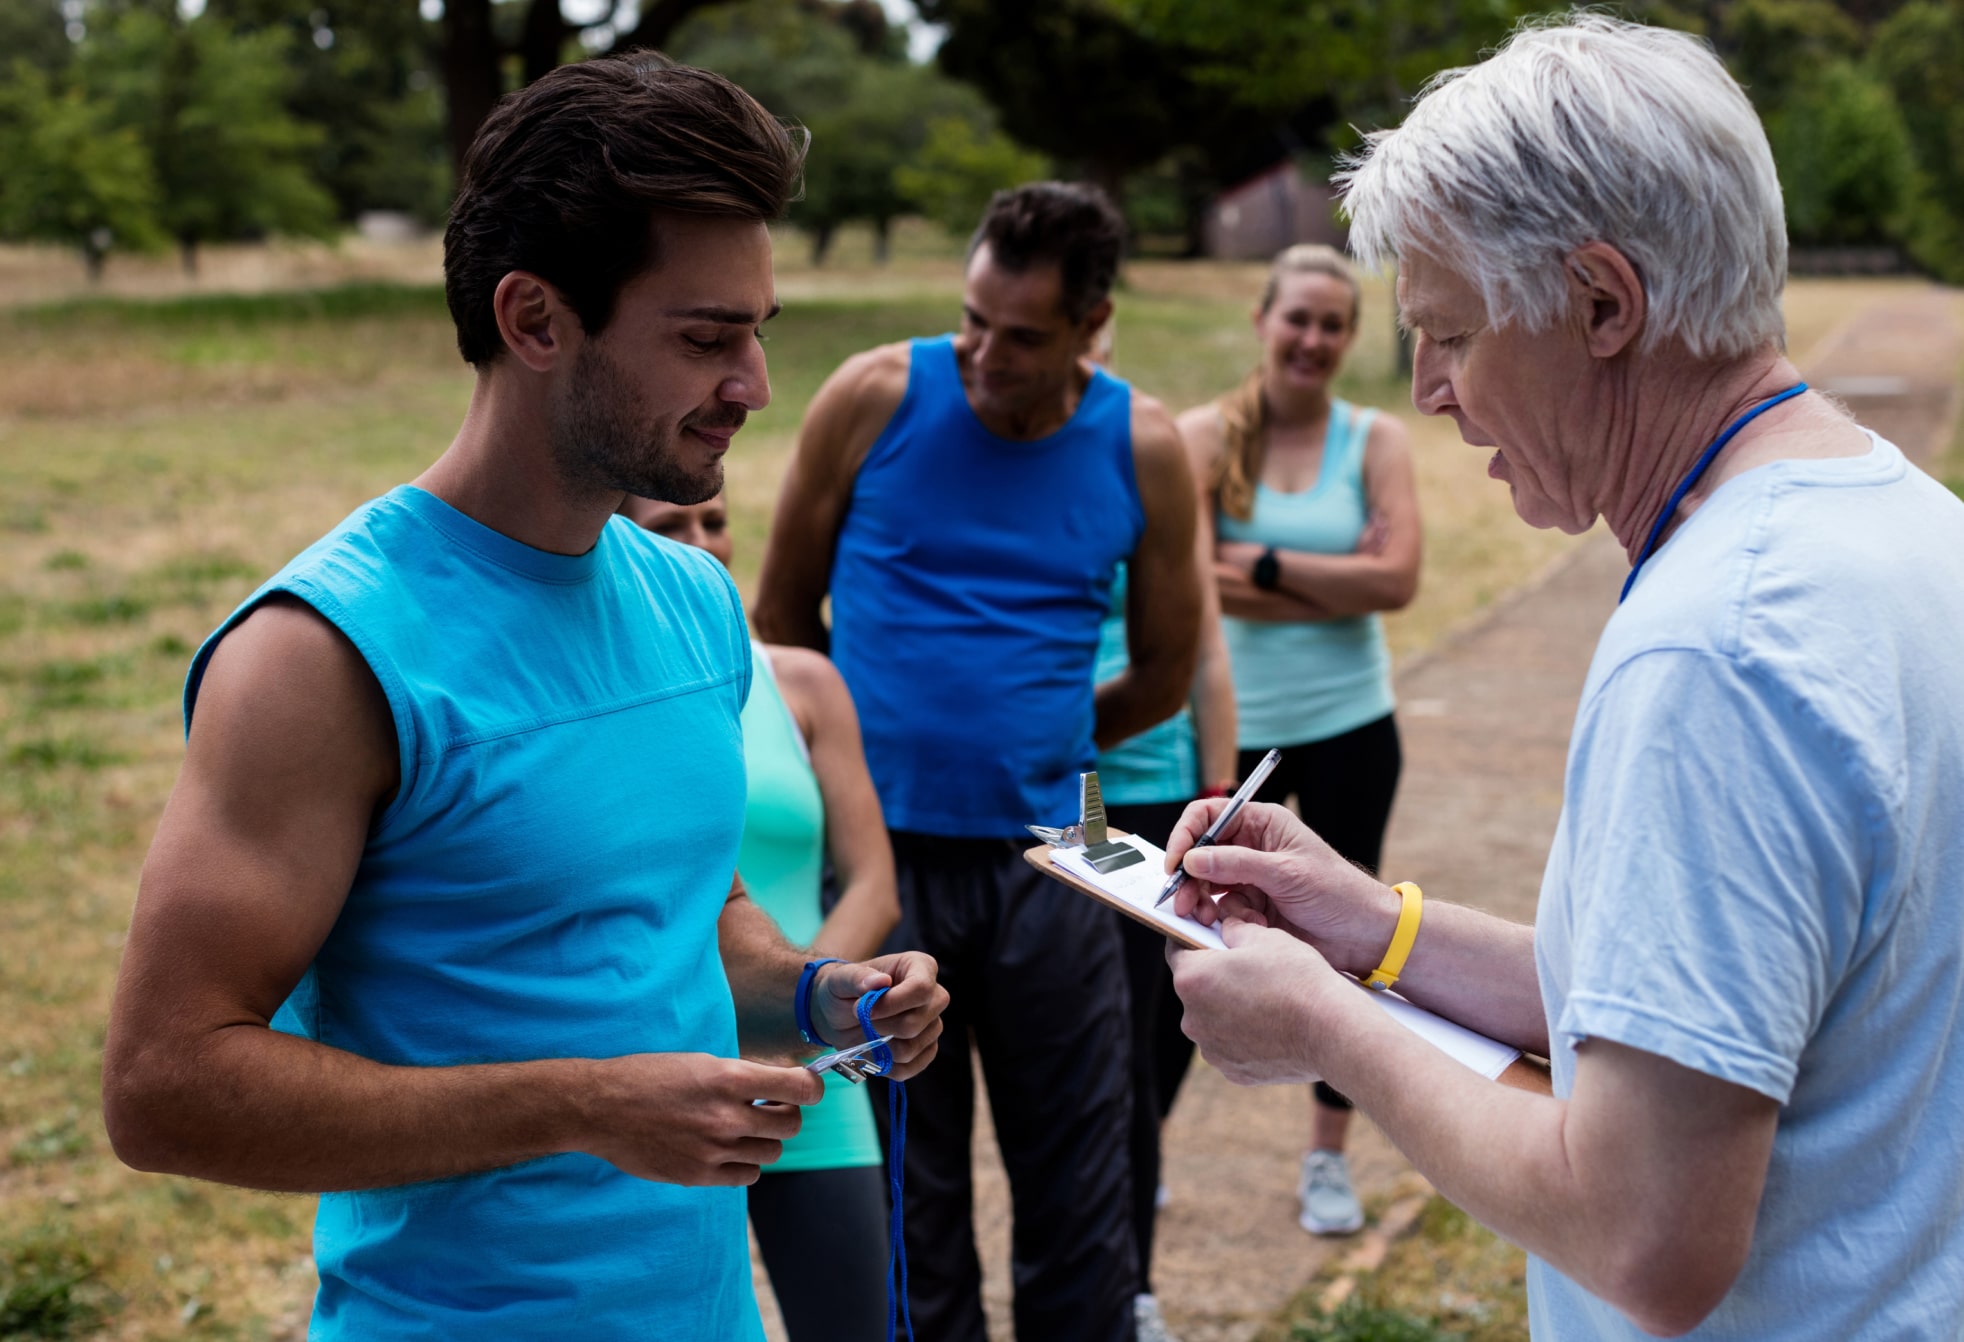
209 103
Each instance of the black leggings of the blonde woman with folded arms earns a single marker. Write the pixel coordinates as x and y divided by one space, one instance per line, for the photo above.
1344 791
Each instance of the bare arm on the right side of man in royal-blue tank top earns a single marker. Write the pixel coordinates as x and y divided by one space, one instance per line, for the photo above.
1164 590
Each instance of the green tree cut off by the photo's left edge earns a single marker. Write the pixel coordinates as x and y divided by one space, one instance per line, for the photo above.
70 174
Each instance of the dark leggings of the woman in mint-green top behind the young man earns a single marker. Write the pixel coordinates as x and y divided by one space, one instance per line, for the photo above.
826 1245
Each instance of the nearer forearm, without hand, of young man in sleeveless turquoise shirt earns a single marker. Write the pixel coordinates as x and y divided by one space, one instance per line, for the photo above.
272 1111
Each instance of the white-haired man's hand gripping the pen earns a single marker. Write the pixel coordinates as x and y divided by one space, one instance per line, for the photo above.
1272 867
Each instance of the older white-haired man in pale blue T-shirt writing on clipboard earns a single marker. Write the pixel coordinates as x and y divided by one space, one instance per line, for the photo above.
1749 960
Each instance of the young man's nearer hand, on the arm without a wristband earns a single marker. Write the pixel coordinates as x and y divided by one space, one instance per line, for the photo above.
692 1119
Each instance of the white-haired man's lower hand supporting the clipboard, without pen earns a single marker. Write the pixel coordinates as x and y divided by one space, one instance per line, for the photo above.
1254 1007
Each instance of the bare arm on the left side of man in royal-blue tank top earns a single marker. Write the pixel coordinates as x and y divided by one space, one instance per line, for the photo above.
846 419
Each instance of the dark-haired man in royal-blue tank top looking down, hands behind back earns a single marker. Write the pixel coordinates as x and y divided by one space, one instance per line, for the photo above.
967 504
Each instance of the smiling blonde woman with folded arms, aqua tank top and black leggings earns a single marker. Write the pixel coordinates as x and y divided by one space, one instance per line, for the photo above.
1317 522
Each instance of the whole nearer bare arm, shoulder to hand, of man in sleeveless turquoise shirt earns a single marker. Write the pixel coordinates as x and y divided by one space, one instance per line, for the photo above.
290 757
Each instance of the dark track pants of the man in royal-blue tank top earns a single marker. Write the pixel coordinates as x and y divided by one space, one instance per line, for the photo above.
1036 978
